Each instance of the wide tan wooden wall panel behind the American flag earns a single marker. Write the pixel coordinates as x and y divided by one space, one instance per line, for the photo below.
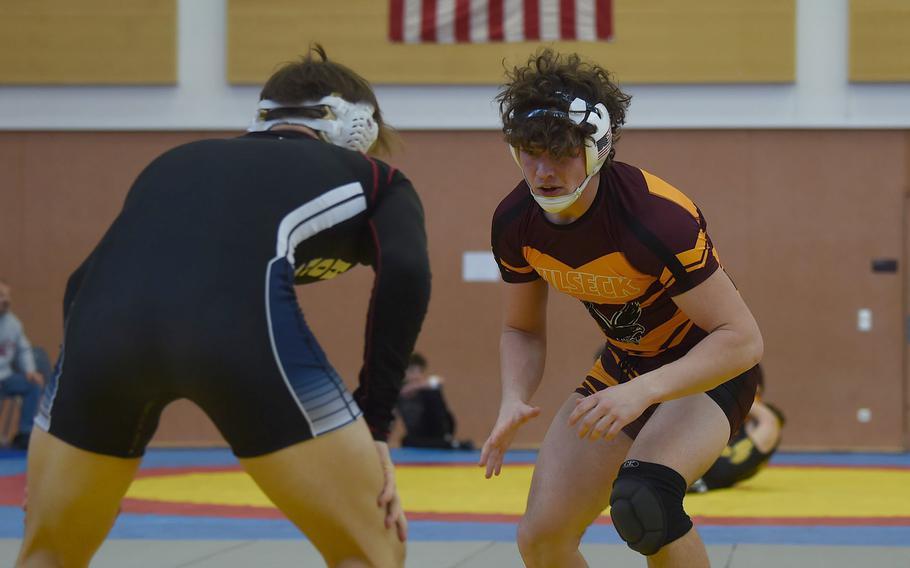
655 41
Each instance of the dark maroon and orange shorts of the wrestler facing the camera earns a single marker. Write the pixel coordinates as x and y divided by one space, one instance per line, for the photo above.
734 397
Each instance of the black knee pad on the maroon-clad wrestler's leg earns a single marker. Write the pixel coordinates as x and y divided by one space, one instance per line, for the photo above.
646 506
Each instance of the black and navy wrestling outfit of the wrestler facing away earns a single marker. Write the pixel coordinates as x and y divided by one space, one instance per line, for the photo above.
190 294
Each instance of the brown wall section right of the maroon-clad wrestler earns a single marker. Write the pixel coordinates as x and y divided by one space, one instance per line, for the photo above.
798 235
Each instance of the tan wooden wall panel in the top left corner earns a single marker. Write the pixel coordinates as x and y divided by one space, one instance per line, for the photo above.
100 42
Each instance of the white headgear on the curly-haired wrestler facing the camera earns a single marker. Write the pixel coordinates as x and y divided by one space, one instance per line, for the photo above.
597 145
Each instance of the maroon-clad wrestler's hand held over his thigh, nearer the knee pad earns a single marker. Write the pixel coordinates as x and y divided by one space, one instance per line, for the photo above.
604 413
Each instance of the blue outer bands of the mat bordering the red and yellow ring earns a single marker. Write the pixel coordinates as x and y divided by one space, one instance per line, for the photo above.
193 528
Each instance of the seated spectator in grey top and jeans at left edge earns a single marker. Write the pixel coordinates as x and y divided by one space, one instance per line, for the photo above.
18 374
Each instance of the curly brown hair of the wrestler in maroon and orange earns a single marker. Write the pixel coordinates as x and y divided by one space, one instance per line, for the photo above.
543 83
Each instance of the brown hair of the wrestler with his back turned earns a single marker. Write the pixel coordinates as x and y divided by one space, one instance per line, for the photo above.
314 76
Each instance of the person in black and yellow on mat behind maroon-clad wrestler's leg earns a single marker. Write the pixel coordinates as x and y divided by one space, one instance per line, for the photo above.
749 450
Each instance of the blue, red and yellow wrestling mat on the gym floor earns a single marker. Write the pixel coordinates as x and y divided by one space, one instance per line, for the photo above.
857 499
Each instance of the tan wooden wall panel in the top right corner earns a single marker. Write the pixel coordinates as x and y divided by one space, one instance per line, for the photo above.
879 40
